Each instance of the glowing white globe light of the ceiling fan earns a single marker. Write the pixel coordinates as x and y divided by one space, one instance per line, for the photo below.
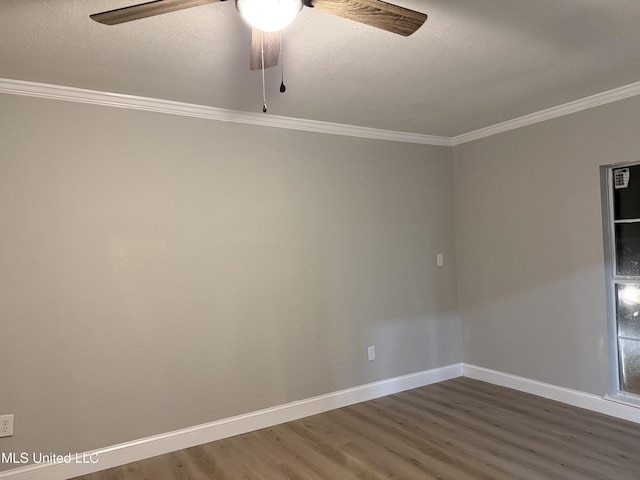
269 15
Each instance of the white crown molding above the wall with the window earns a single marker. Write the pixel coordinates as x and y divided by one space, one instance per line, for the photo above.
553 112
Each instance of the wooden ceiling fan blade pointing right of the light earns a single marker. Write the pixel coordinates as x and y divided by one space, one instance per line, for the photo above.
376 13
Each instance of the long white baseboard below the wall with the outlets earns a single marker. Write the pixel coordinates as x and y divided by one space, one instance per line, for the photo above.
209 432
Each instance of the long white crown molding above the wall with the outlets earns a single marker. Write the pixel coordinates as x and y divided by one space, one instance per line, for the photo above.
79 95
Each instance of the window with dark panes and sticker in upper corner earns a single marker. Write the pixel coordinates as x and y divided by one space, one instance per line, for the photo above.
621 211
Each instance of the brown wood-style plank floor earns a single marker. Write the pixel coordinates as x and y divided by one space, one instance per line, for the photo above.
460 429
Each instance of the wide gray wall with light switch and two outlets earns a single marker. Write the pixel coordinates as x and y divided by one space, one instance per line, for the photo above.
160 272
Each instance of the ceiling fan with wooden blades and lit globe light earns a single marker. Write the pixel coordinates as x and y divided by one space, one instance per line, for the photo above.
265 40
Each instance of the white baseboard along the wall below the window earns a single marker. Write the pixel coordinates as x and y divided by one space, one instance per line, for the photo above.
595 403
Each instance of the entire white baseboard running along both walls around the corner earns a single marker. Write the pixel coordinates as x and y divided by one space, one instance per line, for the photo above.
209 432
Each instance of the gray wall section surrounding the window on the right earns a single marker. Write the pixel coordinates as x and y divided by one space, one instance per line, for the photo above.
529 239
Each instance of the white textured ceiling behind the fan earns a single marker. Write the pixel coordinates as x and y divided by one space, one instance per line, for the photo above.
474 63
